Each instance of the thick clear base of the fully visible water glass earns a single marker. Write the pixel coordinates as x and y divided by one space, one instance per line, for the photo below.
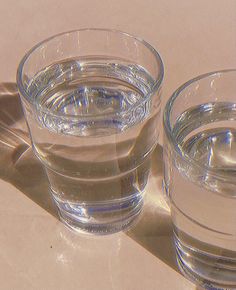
100 218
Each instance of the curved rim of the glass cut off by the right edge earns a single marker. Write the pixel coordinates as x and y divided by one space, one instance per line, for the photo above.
168 130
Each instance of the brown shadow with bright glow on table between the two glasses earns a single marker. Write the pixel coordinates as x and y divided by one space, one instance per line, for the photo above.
154 229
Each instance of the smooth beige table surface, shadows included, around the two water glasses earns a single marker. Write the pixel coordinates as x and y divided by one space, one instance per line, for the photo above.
36 250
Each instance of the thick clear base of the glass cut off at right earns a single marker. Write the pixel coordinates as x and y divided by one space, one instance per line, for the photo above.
205 270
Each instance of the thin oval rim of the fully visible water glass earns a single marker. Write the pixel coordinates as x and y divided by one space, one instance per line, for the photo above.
157 81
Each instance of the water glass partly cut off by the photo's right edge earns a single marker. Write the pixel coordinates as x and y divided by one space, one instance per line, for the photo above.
200 177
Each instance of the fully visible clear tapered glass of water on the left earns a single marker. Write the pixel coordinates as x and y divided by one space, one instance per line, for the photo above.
91 99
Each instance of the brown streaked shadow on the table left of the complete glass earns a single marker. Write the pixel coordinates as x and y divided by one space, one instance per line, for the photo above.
18 165
